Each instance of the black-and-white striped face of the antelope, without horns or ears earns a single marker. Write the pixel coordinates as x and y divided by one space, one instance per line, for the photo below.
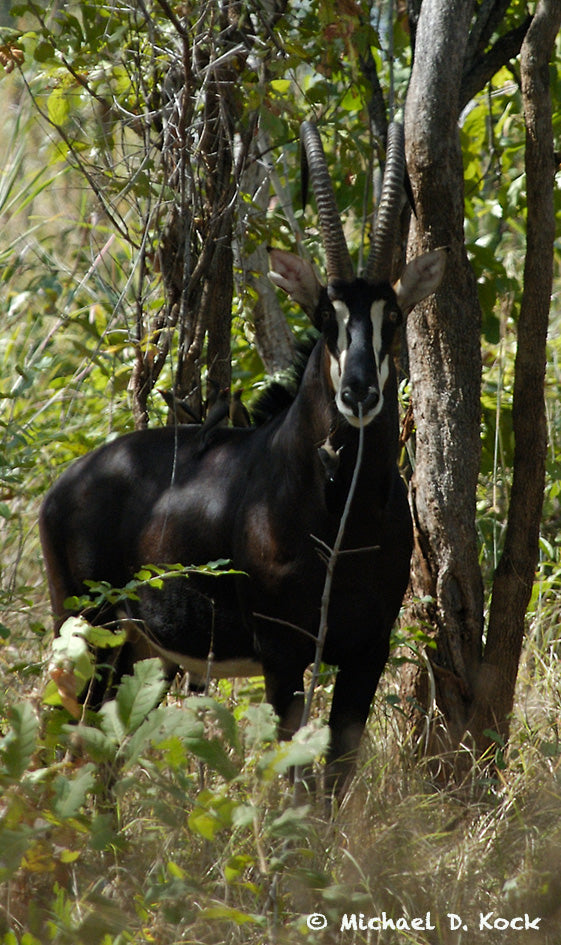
359 327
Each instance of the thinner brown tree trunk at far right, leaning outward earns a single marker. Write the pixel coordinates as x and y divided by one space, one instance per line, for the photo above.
514 576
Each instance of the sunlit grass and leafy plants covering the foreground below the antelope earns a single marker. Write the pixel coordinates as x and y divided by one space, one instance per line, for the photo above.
177 823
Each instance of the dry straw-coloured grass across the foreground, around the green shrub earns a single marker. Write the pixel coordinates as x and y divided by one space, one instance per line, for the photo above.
398 845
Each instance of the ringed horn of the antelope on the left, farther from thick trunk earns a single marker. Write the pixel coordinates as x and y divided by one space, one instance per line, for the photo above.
339 265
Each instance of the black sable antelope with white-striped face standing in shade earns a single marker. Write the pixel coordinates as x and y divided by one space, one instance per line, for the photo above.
257 496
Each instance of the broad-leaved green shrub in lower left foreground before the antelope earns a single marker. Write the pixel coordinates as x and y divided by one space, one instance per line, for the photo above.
138 764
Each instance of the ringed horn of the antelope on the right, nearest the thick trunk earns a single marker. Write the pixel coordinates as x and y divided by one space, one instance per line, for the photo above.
378 267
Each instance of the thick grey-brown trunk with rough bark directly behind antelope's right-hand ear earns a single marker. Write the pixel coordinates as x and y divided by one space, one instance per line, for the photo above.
444 351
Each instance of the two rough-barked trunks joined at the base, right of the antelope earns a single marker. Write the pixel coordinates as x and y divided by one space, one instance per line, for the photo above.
474 689
